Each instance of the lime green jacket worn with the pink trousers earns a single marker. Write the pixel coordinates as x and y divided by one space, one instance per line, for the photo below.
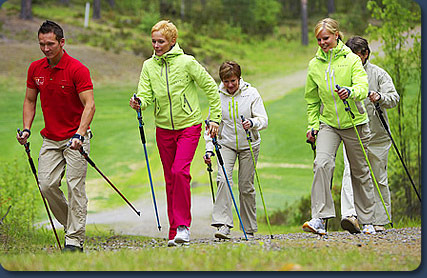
172 82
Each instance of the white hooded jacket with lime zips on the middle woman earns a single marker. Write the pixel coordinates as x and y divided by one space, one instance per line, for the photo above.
246 101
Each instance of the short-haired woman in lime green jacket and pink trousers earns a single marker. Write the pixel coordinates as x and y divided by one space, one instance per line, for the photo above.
171 80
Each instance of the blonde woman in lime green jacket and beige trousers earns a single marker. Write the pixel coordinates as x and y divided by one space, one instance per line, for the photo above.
335 64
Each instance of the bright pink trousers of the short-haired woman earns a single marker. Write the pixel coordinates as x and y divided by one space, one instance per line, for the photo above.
176 149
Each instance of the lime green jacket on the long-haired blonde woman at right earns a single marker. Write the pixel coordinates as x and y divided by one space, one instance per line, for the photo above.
339 66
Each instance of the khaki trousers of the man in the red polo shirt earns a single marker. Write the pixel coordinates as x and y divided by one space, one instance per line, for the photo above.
55 160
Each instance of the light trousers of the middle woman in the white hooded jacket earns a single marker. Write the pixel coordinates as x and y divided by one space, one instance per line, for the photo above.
222 210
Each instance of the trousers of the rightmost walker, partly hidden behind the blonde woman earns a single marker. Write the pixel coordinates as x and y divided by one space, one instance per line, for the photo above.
378 157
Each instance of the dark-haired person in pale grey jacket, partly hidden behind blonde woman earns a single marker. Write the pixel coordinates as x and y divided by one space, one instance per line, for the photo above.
383 93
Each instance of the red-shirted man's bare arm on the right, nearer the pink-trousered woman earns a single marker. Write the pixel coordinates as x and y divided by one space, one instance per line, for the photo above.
87 99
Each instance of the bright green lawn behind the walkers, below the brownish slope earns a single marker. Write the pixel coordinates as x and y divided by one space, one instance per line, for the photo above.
117 150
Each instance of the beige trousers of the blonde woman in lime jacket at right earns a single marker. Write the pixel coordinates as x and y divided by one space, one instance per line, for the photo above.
328 141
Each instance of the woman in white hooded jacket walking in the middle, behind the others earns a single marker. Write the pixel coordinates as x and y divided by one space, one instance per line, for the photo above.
237 98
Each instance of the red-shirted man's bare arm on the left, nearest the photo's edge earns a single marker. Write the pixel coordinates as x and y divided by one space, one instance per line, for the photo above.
29 111
